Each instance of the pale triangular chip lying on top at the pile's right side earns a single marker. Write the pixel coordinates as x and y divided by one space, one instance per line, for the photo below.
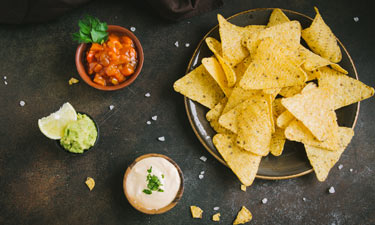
314 109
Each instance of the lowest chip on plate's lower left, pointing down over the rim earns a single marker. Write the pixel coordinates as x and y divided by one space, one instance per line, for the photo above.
243 163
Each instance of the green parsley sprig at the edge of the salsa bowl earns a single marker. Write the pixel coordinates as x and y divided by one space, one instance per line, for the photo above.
91 30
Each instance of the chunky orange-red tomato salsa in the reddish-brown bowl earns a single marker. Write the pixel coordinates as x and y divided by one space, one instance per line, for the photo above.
113 61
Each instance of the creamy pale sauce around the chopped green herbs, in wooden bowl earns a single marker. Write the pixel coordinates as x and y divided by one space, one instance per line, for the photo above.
136 183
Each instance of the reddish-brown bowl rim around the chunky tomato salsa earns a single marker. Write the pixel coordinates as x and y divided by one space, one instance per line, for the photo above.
80 61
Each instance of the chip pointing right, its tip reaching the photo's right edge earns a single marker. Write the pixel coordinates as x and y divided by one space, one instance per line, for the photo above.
345 89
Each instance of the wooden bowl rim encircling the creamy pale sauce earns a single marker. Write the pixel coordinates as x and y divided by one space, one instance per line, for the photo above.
170 205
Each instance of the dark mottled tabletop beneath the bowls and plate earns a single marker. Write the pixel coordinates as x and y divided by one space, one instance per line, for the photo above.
41 184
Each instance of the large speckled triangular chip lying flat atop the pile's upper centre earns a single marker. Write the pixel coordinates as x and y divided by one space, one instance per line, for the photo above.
269 69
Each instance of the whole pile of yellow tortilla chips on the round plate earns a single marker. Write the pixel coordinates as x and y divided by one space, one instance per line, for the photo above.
263 87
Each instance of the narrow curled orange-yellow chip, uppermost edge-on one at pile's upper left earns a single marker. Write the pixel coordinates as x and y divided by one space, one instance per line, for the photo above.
215 46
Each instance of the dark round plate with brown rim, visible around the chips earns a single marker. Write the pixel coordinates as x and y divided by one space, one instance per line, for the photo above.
293 162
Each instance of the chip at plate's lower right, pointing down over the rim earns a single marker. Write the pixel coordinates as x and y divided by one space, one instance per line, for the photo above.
322 160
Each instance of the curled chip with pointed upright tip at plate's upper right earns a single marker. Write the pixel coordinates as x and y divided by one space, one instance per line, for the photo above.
321 39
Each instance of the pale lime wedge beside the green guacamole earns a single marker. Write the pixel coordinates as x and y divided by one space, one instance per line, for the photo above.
53 125
